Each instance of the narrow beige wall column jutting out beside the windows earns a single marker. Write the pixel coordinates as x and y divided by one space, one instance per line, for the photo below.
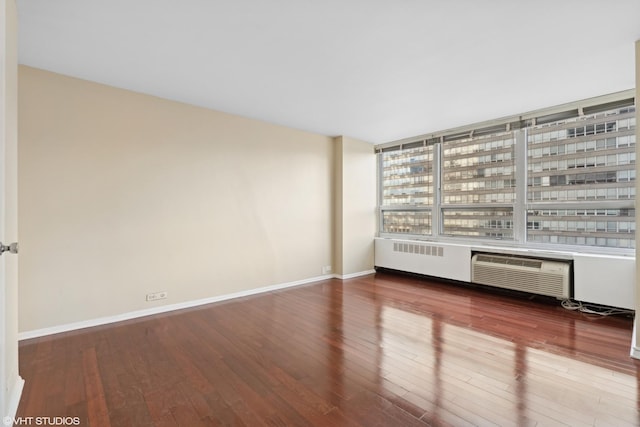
355 201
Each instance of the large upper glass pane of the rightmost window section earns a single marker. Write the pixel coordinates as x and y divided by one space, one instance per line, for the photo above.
581 163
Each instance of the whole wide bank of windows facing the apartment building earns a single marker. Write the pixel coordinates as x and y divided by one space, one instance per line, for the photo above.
558 182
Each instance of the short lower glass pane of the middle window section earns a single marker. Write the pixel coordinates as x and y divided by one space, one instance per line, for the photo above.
496 223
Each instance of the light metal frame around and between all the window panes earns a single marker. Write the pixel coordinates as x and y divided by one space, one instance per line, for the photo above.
519 126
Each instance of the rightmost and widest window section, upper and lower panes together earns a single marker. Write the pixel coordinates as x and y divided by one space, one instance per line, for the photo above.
590 162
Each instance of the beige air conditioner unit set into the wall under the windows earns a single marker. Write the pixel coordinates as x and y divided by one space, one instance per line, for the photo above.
536 276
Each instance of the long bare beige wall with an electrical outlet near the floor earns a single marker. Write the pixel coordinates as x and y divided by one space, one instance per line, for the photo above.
122 194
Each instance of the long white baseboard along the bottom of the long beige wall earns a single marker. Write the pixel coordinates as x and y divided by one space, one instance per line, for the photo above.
163 309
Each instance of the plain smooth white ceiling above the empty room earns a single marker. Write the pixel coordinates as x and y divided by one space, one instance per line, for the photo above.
377 70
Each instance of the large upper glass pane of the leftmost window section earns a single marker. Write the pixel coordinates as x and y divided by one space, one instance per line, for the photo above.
407 177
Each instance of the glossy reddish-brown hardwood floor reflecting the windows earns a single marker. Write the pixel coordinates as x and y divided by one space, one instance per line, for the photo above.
381 350
